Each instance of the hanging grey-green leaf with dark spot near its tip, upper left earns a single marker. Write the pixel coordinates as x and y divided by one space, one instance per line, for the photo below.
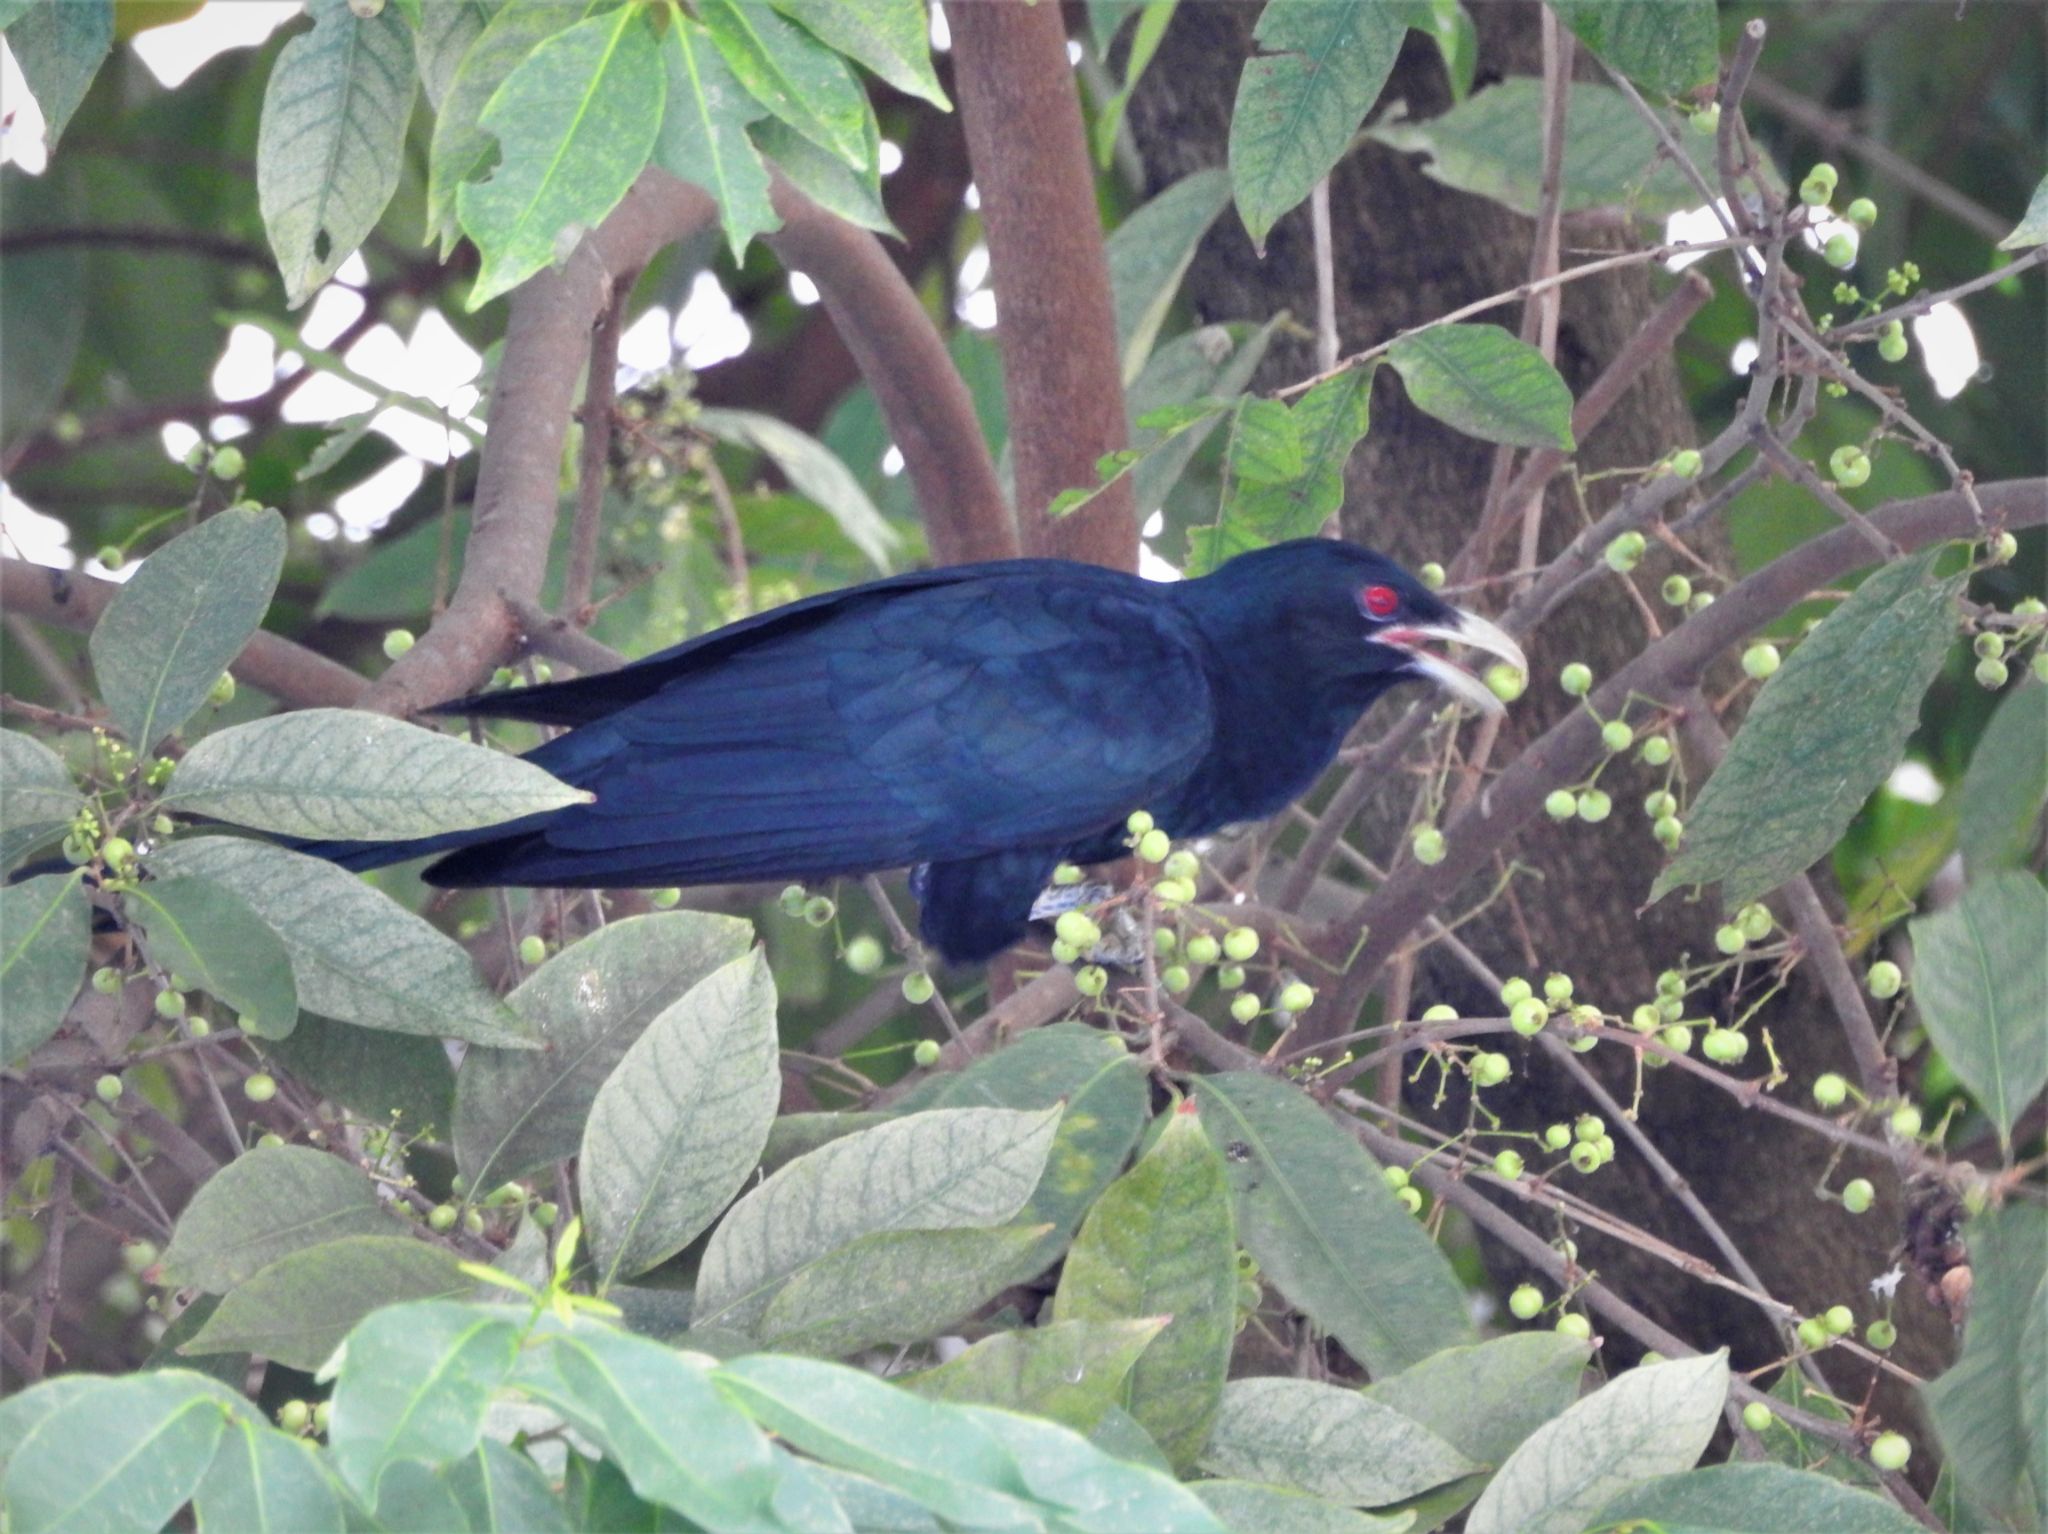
333 140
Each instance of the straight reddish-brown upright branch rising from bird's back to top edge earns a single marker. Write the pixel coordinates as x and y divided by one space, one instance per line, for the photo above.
1054 316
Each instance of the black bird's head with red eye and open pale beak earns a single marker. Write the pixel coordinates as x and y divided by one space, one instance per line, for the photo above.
1359 620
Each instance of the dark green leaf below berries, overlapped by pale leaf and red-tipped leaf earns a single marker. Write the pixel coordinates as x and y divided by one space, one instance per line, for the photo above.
1107 1097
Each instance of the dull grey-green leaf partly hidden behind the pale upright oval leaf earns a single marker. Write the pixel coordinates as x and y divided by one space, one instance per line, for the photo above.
517 1111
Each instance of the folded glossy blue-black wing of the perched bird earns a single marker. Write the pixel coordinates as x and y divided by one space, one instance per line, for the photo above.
910 726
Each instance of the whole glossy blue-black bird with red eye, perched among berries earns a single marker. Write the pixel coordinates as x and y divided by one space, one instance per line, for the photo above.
980 724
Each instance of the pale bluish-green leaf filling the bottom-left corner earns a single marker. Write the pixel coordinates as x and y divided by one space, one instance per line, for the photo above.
120 1457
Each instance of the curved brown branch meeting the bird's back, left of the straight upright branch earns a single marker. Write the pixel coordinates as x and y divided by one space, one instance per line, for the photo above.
912 376
